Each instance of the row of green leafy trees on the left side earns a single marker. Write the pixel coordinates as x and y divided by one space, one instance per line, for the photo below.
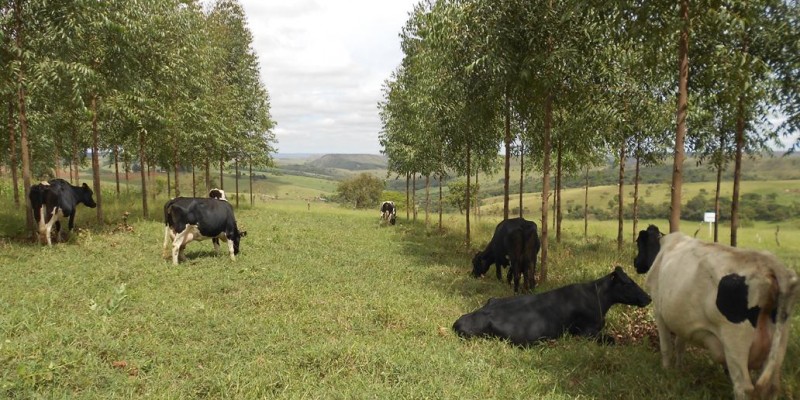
158 83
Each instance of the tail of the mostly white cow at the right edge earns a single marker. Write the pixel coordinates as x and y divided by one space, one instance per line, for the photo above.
788 285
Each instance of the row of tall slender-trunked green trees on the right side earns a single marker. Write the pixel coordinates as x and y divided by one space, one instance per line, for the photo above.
564 83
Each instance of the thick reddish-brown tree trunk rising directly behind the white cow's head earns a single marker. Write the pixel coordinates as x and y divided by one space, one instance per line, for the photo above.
683 108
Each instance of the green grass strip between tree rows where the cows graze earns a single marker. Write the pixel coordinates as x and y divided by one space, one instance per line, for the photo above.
321 303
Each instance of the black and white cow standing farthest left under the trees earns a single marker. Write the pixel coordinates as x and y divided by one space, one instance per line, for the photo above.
56 199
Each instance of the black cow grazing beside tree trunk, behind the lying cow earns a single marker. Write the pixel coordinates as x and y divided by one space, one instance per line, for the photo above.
516 243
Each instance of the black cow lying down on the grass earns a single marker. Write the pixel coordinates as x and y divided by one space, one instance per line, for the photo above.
578 309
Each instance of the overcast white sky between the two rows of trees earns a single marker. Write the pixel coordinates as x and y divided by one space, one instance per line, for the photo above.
324 63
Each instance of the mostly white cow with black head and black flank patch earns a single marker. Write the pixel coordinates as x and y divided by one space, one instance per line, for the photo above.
734 302
